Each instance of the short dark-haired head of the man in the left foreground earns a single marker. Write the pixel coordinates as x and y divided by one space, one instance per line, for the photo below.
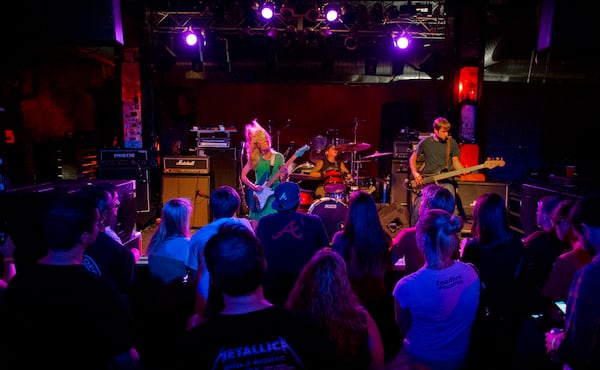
67 218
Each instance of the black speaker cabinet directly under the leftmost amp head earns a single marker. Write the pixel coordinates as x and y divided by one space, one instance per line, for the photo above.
140 174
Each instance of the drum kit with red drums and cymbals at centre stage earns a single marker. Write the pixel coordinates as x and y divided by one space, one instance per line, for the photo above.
332 207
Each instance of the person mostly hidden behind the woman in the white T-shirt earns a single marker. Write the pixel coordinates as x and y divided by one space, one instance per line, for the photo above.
405 244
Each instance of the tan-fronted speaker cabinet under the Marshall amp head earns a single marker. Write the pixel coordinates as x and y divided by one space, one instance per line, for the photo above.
194 187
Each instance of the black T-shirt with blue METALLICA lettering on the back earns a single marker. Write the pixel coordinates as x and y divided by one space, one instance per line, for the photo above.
272 338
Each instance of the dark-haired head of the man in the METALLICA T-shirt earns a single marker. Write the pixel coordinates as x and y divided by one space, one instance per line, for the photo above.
235 260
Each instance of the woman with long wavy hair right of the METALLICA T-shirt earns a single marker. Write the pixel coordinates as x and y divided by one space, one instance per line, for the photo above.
324 294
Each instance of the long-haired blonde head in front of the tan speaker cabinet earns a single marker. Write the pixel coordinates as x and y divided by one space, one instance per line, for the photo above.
174 221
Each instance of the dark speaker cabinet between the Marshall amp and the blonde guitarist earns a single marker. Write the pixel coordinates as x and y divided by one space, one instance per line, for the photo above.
224 166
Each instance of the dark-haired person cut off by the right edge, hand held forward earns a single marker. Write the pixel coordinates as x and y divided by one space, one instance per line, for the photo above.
578 347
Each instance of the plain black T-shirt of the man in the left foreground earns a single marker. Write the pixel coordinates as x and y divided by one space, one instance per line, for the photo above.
63 317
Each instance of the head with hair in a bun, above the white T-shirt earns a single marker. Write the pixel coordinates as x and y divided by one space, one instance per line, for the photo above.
438 235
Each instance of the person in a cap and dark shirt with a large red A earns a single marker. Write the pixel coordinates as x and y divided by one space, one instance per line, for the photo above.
290 238
